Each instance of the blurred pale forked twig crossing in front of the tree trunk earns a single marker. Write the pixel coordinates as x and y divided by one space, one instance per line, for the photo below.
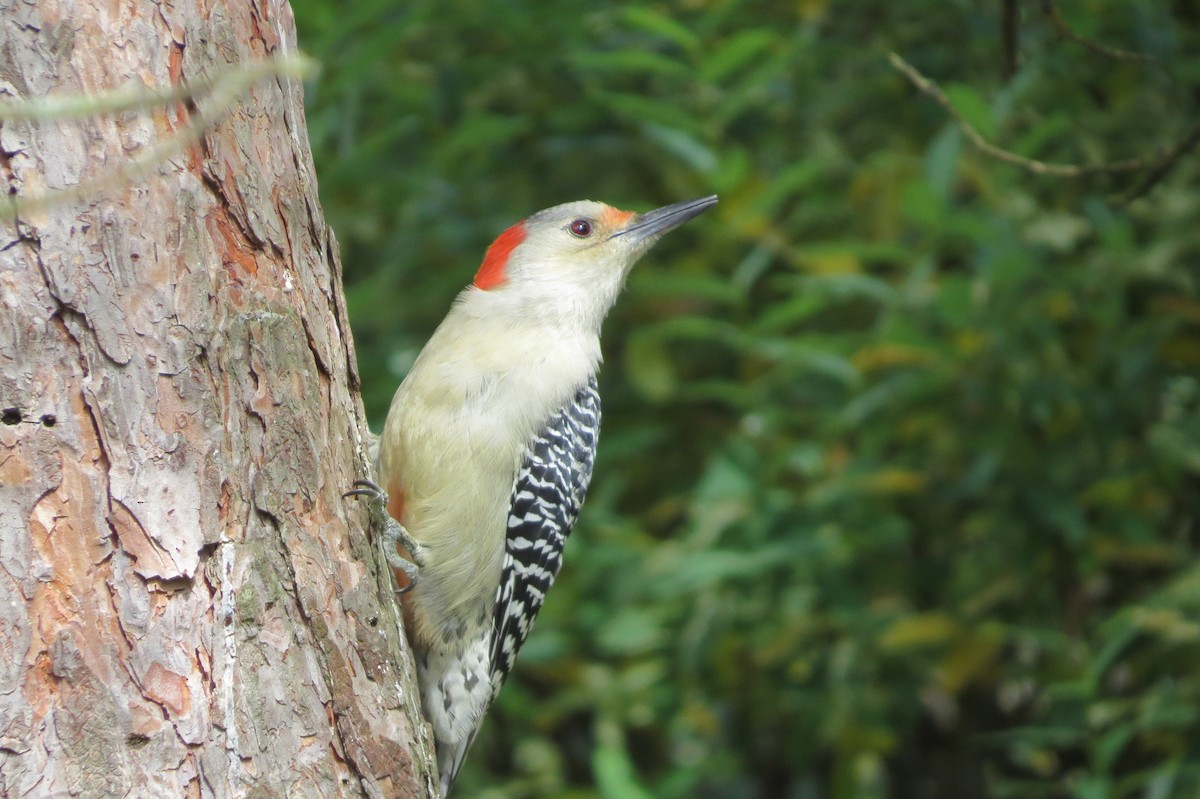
219 94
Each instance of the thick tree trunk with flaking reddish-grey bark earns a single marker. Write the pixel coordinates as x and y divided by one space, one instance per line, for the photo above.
188 606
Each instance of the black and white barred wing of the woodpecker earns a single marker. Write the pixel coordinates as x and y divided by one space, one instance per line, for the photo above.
547 498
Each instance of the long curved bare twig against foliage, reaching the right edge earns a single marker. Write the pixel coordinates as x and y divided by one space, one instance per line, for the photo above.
1160 163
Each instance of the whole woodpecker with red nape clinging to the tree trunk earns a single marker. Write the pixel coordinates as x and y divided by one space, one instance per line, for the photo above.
488 449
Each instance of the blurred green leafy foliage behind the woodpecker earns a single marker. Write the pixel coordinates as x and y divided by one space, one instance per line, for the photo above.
899 480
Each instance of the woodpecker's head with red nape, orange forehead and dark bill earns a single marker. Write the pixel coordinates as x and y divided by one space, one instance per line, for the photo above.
572 261
